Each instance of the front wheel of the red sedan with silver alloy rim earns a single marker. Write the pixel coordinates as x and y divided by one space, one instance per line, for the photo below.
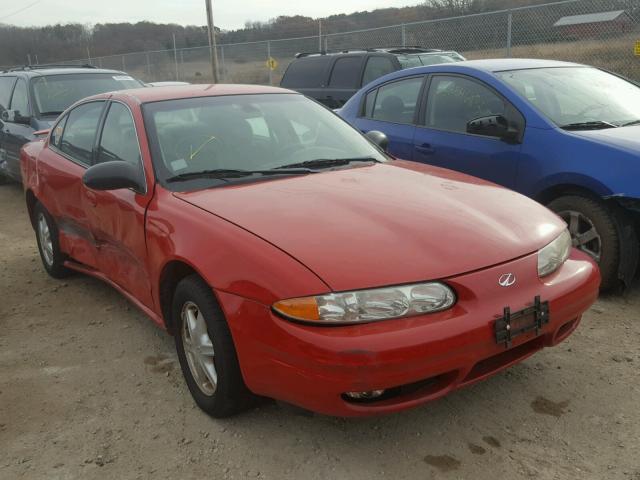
207 354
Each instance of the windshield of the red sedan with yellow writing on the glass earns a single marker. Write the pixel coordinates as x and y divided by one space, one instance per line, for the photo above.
248 132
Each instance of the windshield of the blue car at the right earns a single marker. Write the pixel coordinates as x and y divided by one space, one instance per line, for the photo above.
574 96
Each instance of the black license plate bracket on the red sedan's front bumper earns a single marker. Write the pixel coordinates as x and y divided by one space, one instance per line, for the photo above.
514 324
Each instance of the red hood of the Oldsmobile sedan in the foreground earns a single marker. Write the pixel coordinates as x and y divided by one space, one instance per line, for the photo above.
385 224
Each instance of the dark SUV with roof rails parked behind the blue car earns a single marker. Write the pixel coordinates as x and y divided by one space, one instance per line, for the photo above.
333 78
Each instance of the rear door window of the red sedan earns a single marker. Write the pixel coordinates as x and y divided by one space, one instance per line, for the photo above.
79 133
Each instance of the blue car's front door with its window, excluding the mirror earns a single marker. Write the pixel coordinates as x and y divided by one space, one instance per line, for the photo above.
442 139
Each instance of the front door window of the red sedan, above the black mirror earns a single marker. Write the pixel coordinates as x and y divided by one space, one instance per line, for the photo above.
119 140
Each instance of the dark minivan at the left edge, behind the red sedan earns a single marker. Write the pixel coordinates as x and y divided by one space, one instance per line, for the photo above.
32 97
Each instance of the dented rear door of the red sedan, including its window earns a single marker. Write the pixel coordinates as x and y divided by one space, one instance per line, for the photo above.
61 166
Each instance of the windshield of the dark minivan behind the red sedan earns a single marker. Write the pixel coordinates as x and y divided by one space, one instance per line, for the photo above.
53 94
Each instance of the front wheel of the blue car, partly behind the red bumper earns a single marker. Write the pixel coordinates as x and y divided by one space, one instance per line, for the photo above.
582 214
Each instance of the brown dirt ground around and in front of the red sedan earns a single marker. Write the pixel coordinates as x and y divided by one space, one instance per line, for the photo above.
89 388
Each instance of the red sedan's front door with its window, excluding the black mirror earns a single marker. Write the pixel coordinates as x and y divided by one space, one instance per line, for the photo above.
116 217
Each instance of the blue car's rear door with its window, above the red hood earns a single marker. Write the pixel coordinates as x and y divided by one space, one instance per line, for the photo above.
393 109
